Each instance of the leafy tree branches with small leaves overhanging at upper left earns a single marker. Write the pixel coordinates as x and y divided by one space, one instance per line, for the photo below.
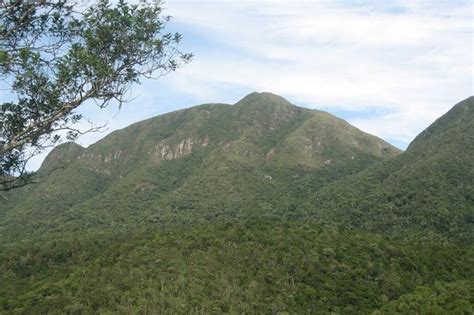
54 59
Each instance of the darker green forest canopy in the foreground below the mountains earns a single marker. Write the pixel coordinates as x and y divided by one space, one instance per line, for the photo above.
262 266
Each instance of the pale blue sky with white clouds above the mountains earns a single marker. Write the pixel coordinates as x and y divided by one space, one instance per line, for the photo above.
388 67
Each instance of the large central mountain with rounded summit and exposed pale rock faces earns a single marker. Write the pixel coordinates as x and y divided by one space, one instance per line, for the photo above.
258 157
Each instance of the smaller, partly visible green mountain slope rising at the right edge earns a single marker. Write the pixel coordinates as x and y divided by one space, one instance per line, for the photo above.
428 190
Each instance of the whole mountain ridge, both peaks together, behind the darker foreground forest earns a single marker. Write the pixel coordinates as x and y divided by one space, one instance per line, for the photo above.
273 159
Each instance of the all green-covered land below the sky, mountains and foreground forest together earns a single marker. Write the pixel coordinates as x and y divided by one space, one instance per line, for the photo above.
258 207
